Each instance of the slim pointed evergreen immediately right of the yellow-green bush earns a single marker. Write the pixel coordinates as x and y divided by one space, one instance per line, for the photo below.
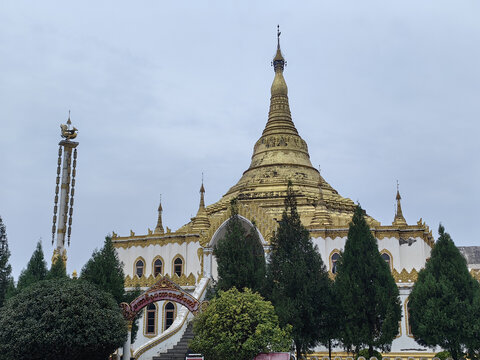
297 281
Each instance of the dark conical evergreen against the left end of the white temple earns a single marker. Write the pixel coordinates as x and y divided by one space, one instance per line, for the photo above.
105 270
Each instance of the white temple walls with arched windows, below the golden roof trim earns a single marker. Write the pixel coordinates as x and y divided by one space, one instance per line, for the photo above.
408 255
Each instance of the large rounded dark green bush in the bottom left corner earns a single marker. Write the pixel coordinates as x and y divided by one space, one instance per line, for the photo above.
61 319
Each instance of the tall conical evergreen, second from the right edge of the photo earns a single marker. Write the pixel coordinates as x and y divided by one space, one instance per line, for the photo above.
367 293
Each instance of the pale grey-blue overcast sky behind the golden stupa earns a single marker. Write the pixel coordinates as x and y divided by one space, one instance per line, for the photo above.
162 91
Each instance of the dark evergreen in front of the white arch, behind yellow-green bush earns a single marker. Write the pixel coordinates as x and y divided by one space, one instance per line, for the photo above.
240 256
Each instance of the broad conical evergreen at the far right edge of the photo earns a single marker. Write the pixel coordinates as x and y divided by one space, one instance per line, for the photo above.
444 304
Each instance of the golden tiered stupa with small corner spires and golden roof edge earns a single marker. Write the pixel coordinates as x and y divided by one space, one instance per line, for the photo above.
280 155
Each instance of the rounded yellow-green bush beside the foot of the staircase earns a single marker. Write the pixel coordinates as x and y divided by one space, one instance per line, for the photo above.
238 325
